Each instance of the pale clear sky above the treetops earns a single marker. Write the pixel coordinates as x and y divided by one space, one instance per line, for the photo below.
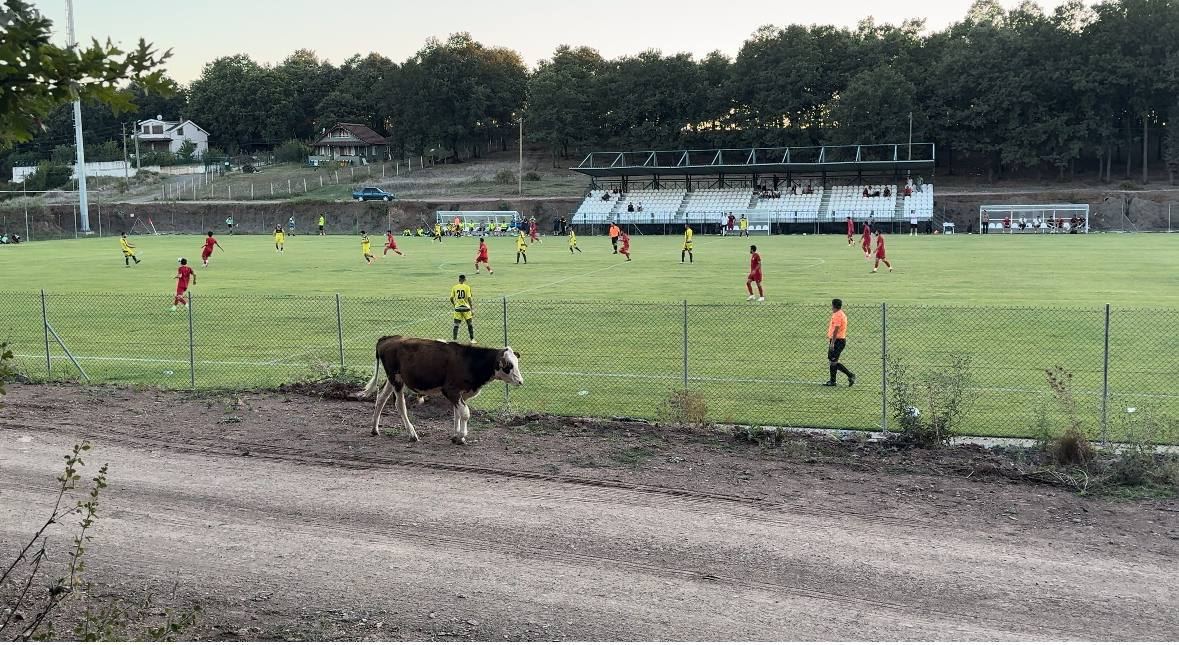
268 30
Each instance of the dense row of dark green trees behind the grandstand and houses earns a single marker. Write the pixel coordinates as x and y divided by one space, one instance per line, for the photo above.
1084 88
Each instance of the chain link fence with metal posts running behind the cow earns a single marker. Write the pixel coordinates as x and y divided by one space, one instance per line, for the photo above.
746 364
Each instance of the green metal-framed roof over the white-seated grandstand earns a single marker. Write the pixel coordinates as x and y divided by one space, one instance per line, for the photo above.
828 160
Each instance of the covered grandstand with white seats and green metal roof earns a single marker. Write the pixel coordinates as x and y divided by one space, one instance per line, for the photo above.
660 192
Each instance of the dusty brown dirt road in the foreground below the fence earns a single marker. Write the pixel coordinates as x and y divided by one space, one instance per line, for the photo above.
284 518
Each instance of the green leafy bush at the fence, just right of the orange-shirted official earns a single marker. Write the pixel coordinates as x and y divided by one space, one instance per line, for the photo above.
931 407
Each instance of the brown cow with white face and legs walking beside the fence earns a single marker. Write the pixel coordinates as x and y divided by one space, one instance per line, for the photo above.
426 367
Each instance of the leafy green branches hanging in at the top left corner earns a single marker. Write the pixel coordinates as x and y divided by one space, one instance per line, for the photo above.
37 76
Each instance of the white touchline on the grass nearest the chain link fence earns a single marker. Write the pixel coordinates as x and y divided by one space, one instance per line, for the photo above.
592 376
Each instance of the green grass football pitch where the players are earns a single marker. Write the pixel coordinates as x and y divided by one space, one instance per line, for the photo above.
601 337
